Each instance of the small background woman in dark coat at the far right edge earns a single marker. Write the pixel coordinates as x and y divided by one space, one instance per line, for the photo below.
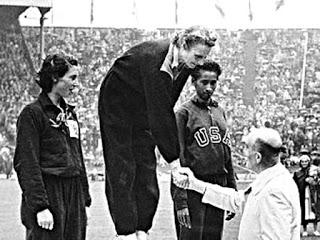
307 181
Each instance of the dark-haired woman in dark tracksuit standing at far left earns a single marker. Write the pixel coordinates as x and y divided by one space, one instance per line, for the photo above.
48 158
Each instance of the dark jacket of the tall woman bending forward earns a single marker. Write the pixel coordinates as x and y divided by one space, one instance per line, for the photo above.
135 92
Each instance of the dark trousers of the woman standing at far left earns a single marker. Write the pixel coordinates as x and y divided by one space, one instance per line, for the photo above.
67 205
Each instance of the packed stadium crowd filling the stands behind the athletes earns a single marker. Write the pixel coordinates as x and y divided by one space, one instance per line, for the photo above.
278 66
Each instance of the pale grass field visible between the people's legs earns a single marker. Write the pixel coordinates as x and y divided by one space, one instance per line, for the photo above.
100 224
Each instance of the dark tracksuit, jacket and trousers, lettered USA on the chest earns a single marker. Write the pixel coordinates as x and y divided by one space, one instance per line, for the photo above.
205 149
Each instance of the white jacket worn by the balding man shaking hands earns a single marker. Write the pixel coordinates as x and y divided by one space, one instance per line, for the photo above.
272 210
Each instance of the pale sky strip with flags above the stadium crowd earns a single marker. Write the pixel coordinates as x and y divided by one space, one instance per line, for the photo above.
161 14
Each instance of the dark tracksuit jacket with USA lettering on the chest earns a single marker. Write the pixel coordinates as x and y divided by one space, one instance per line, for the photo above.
206 143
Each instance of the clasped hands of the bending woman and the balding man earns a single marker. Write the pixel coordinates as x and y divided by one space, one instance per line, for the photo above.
184 178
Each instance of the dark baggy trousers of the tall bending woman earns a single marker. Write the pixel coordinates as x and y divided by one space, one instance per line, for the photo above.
131 182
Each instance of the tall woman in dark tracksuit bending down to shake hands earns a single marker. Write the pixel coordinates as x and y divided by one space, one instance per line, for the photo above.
136 113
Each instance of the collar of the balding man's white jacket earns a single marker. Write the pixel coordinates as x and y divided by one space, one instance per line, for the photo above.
266 176
